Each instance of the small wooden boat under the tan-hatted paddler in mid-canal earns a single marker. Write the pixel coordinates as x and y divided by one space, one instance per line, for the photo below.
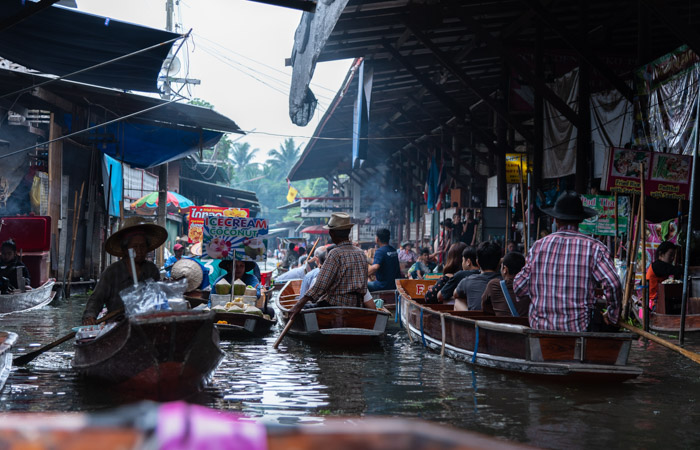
334 324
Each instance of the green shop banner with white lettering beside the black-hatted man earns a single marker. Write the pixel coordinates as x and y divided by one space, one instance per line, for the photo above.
604 223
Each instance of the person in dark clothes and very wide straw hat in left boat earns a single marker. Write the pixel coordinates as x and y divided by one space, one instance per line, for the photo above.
135 233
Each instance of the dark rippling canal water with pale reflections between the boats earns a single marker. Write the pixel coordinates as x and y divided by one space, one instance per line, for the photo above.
306 384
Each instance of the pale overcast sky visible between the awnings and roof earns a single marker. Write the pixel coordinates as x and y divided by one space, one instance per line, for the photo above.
237 51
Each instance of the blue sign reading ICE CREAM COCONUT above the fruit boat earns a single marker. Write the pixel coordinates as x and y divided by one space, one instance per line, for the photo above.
239 238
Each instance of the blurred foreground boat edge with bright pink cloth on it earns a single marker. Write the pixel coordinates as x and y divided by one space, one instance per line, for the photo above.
149 425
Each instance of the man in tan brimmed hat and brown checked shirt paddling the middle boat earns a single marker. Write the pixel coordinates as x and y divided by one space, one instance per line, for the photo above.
342 279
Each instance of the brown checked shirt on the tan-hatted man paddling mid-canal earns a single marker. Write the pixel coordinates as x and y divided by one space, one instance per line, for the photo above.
342 279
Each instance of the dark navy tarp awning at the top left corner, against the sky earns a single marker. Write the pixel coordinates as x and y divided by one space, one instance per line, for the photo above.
61 41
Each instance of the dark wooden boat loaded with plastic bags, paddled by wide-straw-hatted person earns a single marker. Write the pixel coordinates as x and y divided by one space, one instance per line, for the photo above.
163 355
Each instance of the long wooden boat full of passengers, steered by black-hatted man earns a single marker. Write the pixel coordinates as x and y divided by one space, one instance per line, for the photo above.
508 343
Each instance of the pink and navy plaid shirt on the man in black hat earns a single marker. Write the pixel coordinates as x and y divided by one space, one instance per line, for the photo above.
560 275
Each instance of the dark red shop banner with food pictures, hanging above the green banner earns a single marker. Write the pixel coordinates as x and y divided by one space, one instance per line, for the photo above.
666 175
